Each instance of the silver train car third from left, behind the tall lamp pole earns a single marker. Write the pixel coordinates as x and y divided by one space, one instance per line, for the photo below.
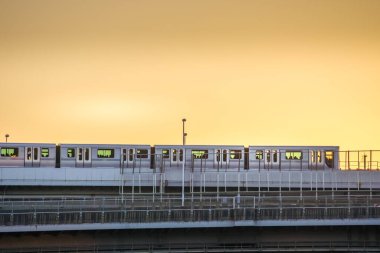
200 157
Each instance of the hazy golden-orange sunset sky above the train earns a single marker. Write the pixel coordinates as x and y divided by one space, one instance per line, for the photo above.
268 72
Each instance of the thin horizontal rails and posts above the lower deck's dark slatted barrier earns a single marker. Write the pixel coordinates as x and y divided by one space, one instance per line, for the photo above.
173 201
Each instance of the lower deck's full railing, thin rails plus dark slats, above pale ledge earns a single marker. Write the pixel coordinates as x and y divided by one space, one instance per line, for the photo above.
196 209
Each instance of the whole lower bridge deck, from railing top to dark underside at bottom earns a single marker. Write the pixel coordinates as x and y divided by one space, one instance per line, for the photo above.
262 221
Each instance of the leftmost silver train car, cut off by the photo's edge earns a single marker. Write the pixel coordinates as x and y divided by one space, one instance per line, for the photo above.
27 155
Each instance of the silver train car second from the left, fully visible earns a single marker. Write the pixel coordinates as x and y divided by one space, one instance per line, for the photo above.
126 157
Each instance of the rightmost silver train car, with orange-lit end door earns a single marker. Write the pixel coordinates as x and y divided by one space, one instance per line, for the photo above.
293 157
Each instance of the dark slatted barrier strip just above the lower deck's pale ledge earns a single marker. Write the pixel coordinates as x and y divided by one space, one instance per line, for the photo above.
187 215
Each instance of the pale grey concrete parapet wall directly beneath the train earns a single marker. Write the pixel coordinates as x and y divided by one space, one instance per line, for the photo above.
199 180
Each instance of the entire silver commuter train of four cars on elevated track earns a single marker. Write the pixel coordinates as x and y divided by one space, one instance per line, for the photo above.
147 158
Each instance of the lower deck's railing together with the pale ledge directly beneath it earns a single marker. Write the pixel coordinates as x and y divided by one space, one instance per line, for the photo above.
158 212
